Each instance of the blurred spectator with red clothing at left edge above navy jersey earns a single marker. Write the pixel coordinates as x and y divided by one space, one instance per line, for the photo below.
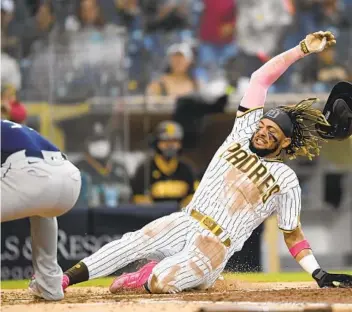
11 108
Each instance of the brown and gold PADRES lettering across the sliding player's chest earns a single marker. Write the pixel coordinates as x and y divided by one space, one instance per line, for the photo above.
250 165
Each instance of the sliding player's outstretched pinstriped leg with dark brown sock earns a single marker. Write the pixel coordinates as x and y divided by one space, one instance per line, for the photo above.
167 235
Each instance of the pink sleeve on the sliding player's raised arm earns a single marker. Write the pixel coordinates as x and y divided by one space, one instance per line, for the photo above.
265 76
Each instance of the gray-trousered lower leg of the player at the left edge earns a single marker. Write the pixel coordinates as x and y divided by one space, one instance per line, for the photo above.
47 272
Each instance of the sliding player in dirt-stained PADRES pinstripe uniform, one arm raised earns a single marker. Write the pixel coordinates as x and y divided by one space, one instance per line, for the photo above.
244 184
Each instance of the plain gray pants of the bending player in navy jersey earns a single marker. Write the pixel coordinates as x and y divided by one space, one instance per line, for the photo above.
40 190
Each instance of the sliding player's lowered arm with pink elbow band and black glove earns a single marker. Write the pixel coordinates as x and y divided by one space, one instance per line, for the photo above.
289 208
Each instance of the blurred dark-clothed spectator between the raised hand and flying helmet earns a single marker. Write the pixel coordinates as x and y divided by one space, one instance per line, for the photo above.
324 71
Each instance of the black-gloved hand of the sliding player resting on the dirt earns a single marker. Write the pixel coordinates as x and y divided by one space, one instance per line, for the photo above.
328 280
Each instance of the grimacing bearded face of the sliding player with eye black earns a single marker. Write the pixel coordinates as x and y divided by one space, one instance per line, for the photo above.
268 139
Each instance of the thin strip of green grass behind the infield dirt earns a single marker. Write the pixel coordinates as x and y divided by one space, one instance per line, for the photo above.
249 277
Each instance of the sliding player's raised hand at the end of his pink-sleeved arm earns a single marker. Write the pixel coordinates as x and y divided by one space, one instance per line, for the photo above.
317 42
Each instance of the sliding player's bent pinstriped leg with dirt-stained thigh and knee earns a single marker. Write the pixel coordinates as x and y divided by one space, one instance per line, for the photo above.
197 266
